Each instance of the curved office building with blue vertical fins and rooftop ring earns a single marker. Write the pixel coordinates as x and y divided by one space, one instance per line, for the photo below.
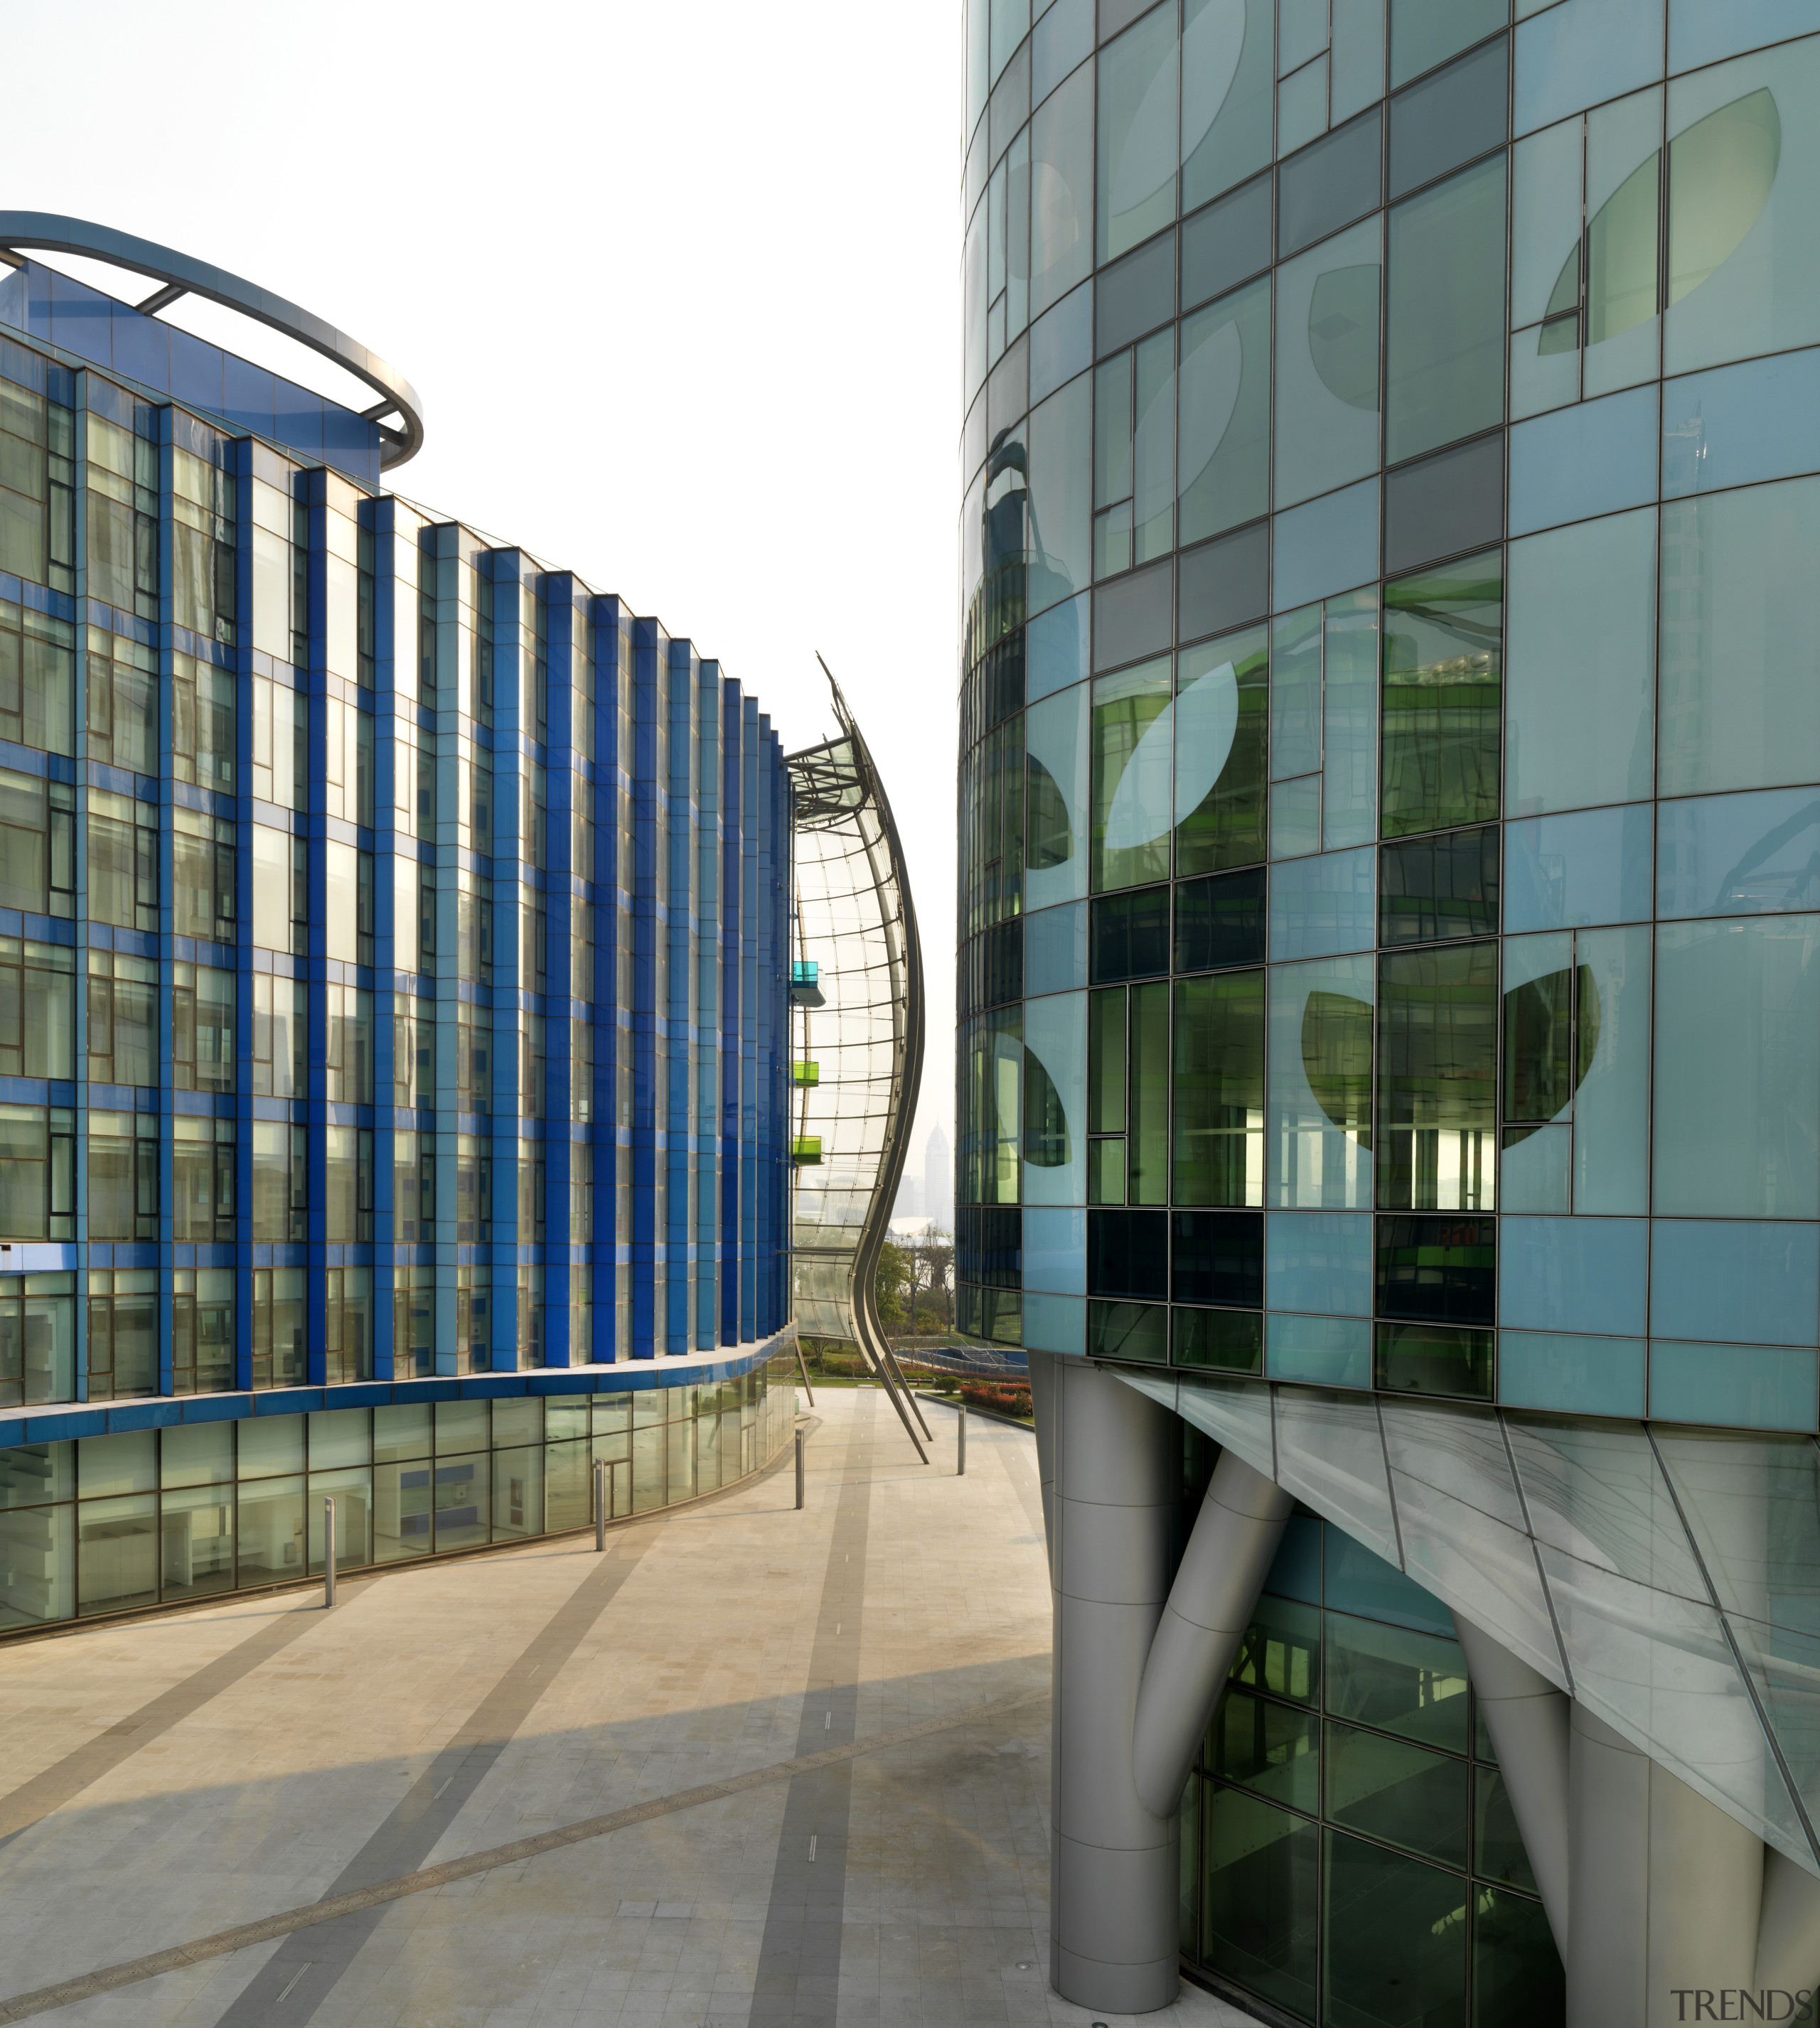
393 987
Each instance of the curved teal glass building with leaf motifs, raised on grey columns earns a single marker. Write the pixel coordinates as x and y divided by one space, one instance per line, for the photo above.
1389 993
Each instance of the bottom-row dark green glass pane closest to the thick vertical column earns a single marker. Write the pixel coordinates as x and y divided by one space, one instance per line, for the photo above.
1261 1899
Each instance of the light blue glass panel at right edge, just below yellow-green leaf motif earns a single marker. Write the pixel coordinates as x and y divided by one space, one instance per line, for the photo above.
1740 425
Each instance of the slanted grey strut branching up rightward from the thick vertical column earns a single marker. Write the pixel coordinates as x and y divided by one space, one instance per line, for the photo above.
1210 1605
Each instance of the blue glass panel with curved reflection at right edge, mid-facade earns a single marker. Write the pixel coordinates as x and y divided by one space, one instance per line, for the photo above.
1740 855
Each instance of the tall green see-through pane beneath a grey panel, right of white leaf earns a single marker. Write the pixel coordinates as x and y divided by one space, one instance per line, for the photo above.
1442 697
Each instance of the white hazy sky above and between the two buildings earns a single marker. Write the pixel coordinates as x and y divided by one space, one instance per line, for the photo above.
679 287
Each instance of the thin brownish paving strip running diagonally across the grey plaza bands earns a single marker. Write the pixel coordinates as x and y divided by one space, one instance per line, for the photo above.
113 1978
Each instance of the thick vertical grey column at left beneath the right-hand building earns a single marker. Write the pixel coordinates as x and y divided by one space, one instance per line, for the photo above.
1115 1869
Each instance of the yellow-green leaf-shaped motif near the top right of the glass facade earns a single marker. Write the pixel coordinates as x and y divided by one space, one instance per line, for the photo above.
1720 175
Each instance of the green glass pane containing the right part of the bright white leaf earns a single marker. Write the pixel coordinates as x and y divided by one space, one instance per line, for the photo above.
1222 721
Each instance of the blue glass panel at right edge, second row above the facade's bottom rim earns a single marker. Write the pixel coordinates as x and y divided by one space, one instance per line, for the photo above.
1738 1281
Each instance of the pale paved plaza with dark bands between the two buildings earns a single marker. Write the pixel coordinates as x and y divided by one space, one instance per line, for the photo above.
748 1767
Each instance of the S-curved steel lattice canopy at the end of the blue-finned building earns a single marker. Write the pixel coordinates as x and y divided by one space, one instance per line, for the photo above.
837 790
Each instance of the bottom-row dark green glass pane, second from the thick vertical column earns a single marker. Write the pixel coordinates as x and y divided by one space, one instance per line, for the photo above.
1397 1940
